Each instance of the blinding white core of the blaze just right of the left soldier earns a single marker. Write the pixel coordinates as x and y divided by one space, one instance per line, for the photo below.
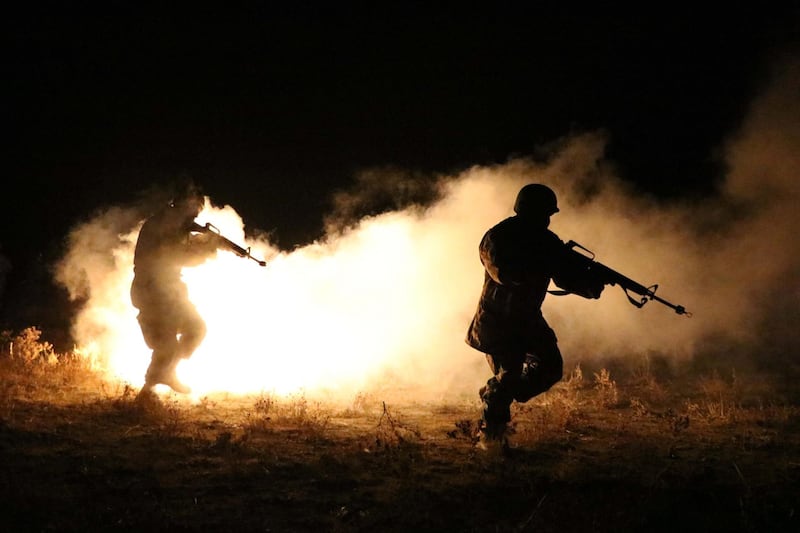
290 325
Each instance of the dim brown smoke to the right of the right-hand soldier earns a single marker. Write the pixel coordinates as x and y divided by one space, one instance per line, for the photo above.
732 260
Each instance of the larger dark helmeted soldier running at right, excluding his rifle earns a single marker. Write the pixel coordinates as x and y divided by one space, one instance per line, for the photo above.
520 256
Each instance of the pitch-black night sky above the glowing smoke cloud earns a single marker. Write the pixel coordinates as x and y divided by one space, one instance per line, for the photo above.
271 109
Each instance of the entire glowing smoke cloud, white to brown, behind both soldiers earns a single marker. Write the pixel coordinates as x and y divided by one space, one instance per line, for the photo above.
385 301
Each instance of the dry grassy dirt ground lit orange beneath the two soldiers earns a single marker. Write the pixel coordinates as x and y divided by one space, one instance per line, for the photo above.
639 453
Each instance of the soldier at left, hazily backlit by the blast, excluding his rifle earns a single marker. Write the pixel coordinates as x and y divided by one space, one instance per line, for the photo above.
170 323
